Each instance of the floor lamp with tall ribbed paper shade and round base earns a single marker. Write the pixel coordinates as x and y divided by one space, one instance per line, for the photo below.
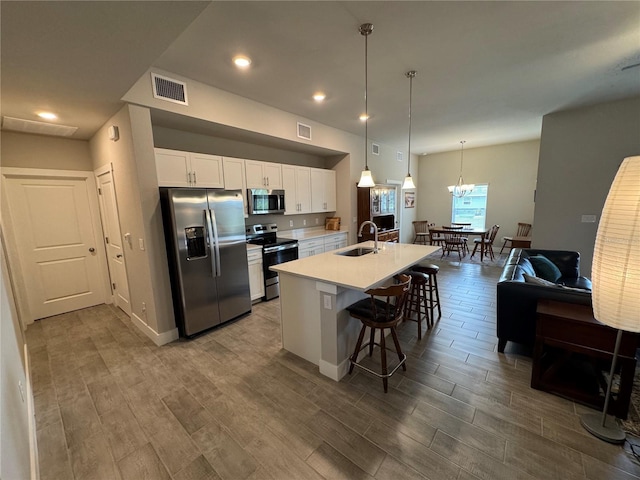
616 278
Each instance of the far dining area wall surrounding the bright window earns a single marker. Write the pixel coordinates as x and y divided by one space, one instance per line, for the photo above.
509 169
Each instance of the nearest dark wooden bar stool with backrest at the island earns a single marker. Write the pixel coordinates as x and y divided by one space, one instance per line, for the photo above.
378 314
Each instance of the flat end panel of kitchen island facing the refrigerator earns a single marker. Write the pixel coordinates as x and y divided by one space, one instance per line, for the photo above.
300 317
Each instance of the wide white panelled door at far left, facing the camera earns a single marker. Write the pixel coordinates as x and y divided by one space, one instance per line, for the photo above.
55 236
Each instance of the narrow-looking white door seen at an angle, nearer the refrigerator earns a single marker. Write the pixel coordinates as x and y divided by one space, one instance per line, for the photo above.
113 240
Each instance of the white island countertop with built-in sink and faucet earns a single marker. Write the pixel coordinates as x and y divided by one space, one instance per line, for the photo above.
359 273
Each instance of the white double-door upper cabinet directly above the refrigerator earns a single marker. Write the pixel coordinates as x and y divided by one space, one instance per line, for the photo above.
185 169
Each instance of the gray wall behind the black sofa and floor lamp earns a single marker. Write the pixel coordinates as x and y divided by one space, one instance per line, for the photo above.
580 152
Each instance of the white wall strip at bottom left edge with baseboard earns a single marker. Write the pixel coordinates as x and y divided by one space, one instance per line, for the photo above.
15 414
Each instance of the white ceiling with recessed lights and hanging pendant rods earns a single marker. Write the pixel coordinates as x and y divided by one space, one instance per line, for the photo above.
487 71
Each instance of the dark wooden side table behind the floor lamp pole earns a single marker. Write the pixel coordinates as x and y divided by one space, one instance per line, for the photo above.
572 356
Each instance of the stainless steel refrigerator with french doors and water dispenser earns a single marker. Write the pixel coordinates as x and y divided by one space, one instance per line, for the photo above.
206 248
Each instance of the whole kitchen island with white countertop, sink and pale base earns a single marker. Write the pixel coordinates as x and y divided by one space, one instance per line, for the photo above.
315 292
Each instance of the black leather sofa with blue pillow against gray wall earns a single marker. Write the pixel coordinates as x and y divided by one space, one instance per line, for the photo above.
517 299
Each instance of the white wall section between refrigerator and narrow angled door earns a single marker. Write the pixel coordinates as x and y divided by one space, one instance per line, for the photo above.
139 211
